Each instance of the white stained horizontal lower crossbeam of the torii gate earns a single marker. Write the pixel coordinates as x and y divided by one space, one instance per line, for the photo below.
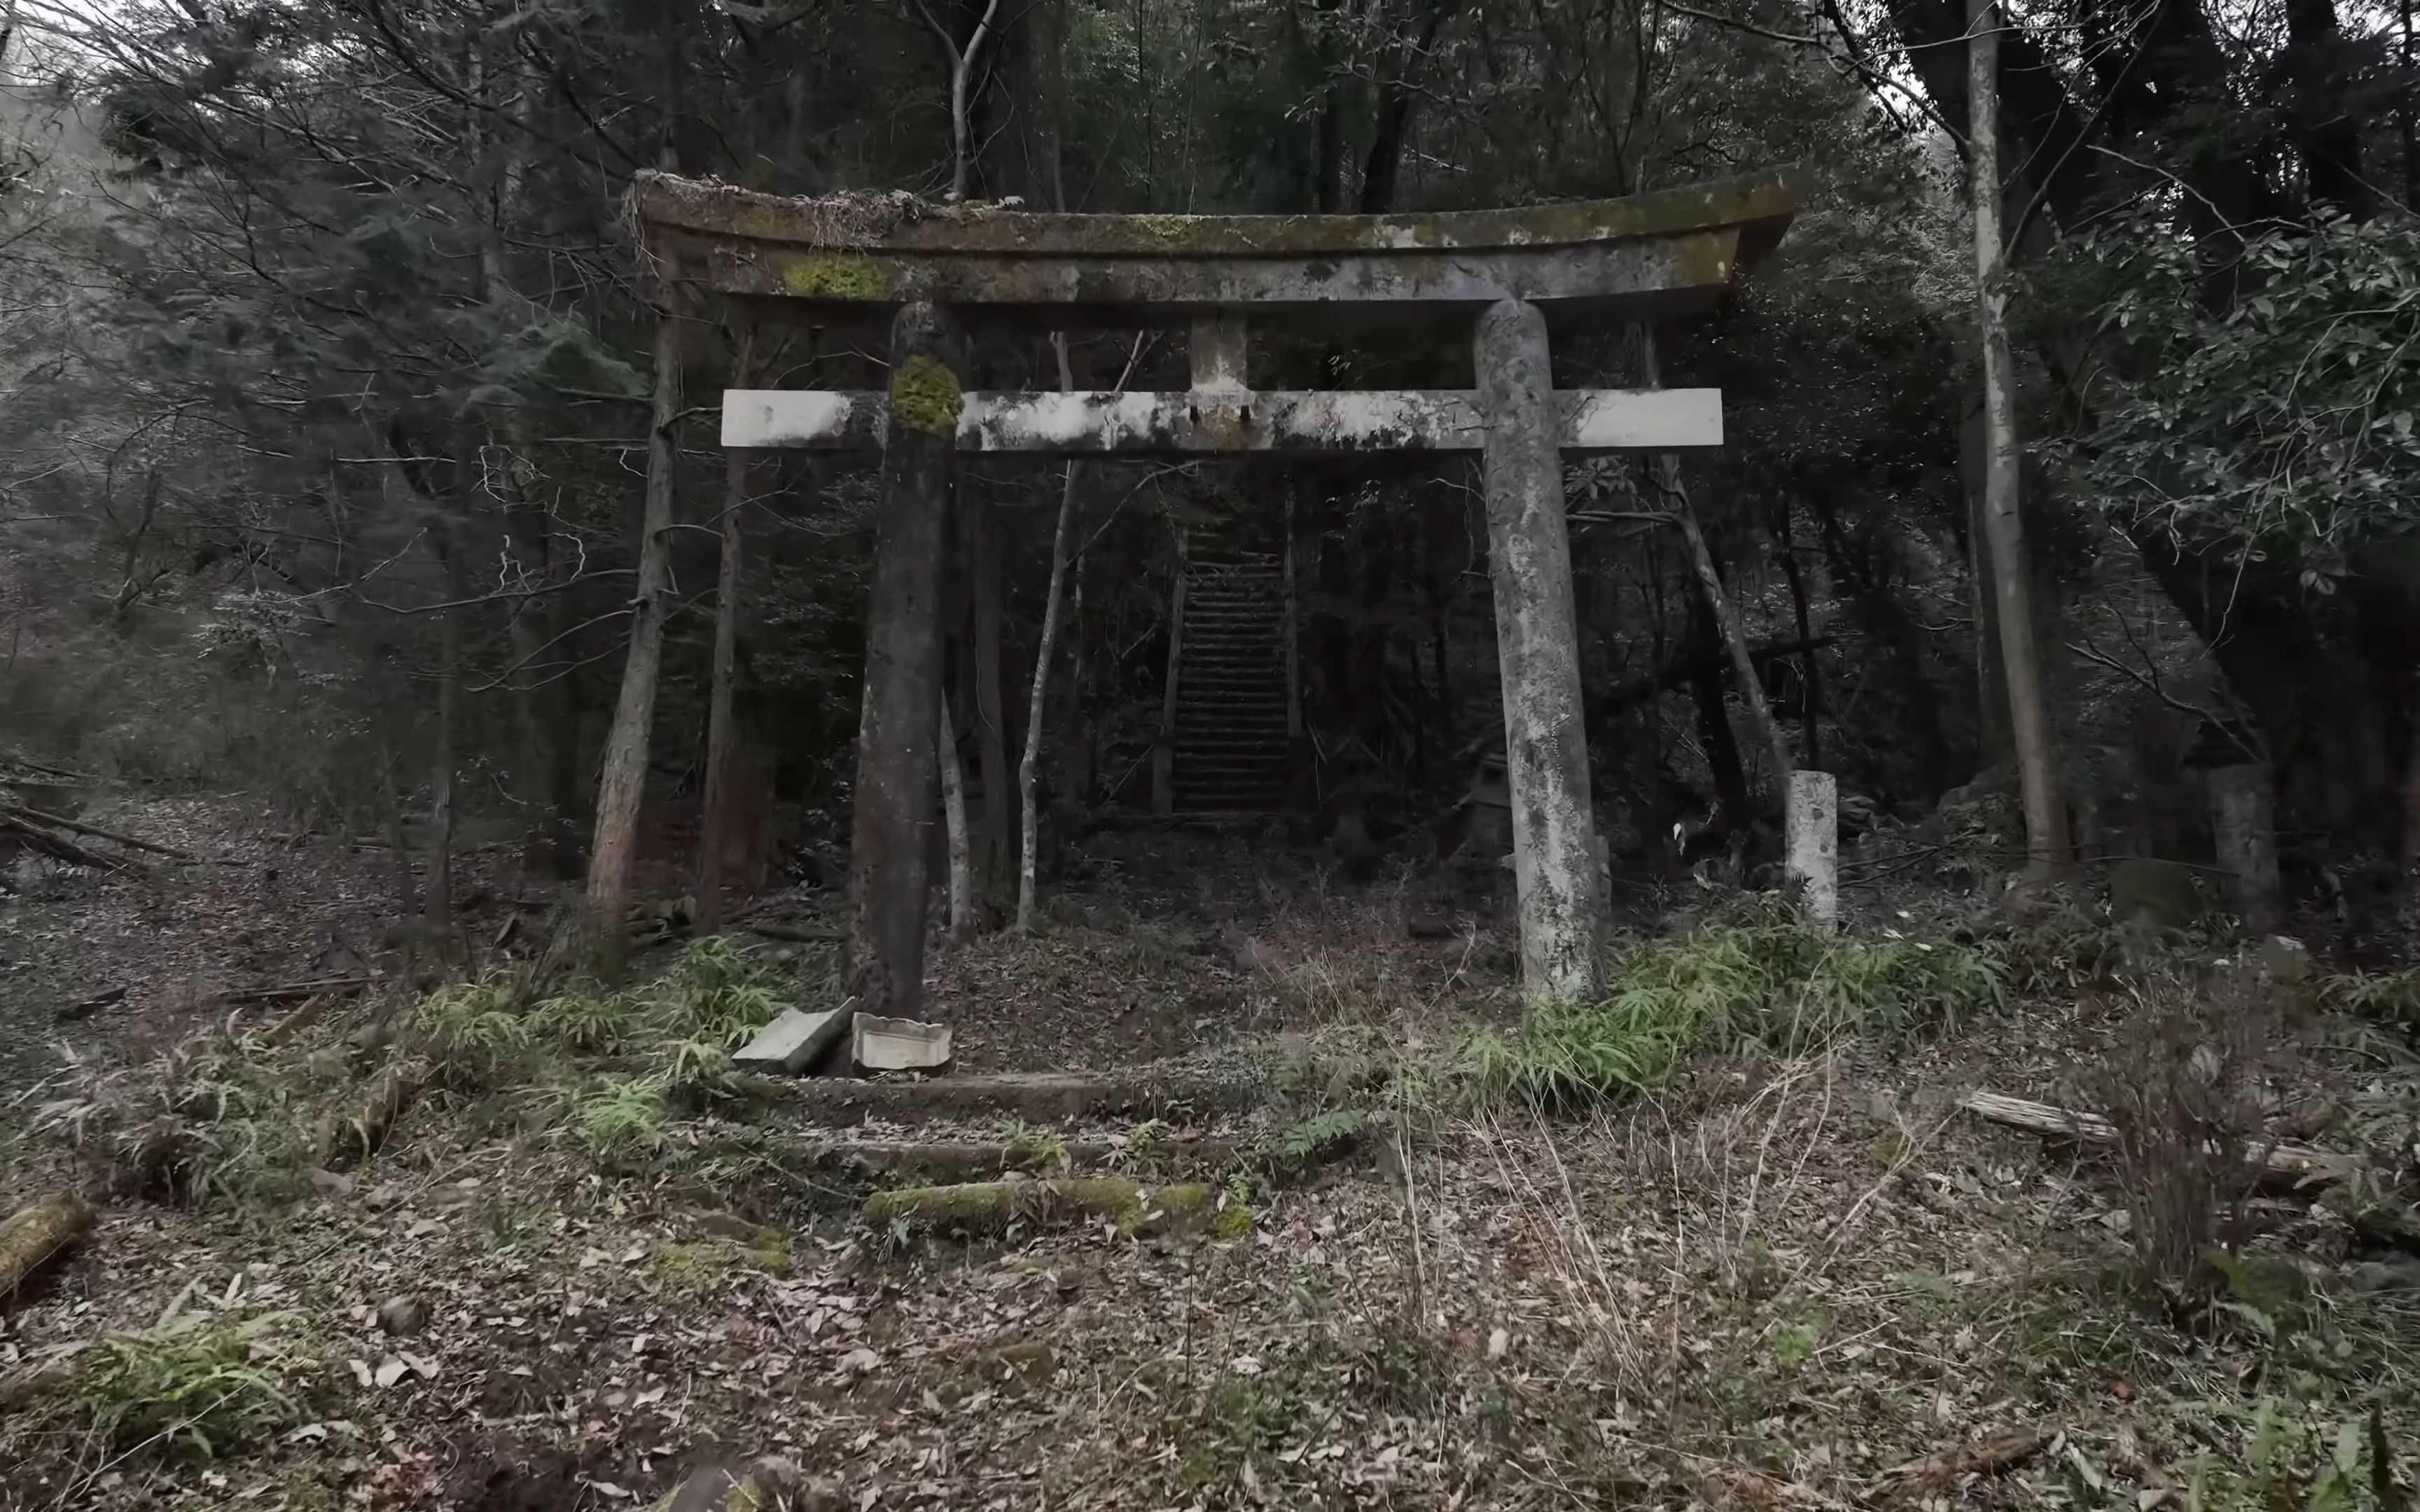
1085 425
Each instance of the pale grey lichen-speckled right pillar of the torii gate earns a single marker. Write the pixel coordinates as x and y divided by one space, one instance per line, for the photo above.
1538 640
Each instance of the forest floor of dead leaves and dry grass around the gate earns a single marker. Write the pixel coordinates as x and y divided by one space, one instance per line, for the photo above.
1782 1281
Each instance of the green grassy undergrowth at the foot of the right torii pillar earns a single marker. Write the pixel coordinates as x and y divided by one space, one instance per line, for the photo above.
1768 981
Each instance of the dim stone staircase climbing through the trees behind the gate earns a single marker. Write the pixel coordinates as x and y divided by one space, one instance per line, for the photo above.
1231 739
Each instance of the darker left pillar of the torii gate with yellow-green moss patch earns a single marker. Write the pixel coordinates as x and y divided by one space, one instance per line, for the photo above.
904 669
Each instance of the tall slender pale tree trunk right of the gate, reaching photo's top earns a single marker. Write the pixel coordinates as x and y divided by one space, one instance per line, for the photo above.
2012 587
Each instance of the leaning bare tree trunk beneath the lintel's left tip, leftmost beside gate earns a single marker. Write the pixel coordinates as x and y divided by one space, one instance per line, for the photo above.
623 783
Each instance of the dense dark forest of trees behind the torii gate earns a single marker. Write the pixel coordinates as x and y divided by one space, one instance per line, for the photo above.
330 362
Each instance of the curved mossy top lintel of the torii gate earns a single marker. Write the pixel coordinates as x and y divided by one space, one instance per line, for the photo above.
1642 258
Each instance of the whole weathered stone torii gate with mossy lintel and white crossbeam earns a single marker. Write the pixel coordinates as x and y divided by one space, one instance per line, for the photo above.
1502 275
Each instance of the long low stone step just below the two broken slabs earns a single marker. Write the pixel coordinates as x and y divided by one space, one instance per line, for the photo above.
1037 1097
